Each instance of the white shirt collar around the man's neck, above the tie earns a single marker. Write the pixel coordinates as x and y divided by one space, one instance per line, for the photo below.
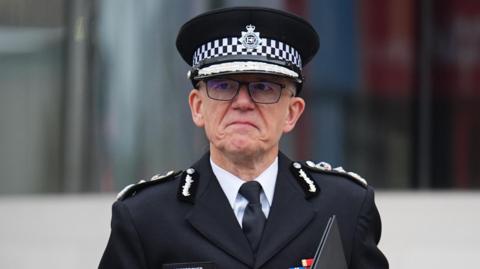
230 183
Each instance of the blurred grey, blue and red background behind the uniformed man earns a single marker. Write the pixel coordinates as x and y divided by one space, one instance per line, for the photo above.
93 97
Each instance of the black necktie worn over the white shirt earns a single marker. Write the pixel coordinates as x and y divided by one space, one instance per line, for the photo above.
253 218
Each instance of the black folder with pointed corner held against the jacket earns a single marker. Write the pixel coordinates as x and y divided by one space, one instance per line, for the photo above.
329 254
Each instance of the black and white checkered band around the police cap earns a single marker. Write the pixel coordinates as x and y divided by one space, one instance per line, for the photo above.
233 46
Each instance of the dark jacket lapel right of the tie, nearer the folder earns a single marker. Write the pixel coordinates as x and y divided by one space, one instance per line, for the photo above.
289 214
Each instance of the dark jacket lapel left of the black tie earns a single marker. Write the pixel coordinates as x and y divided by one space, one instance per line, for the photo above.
213 217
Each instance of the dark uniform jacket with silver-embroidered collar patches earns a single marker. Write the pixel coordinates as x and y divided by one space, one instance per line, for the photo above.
153 228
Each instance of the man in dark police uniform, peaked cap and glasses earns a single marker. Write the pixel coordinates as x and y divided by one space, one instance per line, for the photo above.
244 204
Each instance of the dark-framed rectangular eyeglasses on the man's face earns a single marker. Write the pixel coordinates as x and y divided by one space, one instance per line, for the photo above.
262 92
